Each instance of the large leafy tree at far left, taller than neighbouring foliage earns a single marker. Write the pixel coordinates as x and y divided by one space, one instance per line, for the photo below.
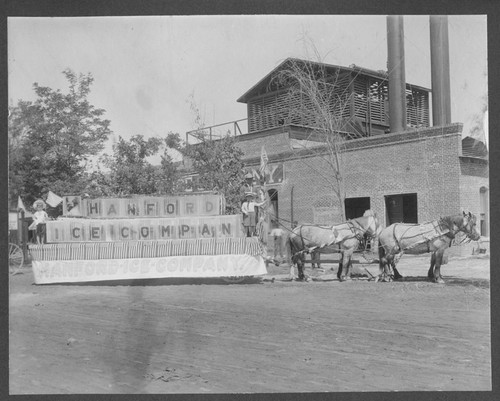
52 139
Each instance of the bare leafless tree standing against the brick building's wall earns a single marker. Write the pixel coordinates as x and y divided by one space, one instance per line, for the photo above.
318 100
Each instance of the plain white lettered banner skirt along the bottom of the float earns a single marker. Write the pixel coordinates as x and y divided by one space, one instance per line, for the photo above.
199 266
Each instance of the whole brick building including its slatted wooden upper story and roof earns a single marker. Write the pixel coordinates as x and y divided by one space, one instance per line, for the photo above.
411 176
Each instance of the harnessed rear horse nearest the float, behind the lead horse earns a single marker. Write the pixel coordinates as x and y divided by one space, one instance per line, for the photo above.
347 236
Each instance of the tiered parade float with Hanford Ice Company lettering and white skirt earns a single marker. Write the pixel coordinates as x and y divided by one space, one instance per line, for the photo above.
145 237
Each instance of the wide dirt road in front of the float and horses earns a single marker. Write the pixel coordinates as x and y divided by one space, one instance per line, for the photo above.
261 336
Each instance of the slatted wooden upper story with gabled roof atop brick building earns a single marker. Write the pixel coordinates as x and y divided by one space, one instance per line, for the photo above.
357 98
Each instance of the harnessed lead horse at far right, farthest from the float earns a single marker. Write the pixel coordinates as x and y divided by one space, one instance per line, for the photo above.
434 237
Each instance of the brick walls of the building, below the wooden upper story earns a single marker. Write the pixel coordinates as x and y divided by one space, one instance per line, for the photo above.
413 176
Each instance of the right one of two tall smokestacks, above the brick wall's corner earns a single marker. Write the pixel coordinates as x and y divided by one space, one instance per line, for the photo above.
440 70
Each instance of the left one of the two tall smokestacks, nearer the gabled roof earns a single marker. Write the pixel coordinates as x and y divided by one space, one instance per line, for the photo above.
396 67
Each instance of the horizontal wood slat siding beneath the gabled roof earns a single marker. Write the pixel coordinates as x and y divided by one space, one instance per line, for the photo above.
369 97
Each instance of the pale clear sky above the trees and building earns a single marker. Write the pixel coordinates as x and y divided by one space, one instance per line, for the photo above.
146 68
